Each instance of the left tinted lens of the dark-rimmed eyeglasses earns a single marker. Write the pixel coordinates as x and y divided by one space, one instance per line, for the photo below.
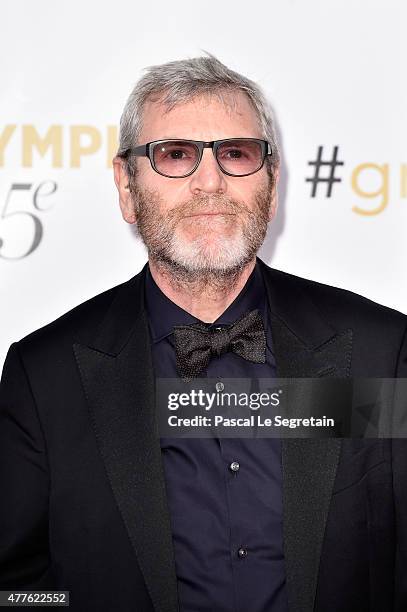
175 158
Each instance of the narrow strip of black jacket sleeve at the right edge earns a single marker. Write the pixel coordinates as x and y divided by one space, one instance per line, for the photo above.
399 458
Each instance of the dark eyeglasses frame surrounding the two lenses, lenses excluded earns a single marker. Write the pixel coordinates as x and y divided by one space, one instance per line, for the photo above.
147 150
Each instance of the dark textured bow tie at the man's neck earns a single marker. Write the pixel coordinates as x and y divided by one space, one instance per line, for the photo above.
195 344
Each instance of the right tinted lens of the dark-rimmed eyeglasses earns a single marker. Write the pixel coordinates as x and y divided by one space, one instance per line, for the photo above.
240 157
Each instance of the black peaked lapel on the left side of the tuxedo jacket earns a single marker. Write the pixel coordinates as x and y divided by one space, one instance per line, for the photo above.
117 377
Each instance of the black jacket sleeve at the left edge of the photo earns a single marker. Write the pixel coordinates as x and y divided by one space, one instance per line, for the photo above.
24 483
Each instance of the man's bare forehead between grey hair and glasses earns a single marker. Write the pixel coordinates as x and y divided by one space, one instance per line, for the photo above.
207 117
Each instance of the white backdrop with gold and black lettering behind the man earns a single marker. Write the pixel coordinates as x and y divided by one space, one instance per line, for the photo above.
334 71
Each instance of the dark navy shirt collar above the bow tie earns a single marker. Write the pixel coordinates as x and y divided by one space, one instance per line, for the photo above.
163 314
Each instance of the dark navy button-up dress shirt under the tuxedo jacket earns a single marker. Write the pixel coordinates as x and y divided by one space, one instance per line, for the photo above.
224 495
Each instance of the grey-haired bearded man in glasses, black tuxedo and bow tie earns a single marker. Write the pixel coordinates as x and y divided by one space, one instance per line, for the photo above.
93 501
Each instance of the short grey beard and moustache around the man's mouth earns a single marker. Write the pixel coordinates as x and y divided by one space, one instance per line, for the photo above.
188 266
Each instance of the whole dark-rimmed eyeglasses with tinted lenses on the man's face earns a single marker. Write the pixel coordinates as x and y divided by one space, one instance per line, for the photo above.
180 158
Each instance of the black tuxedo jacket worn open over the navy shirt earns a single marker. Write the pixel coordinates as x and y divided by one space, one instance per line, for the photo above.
83 503
